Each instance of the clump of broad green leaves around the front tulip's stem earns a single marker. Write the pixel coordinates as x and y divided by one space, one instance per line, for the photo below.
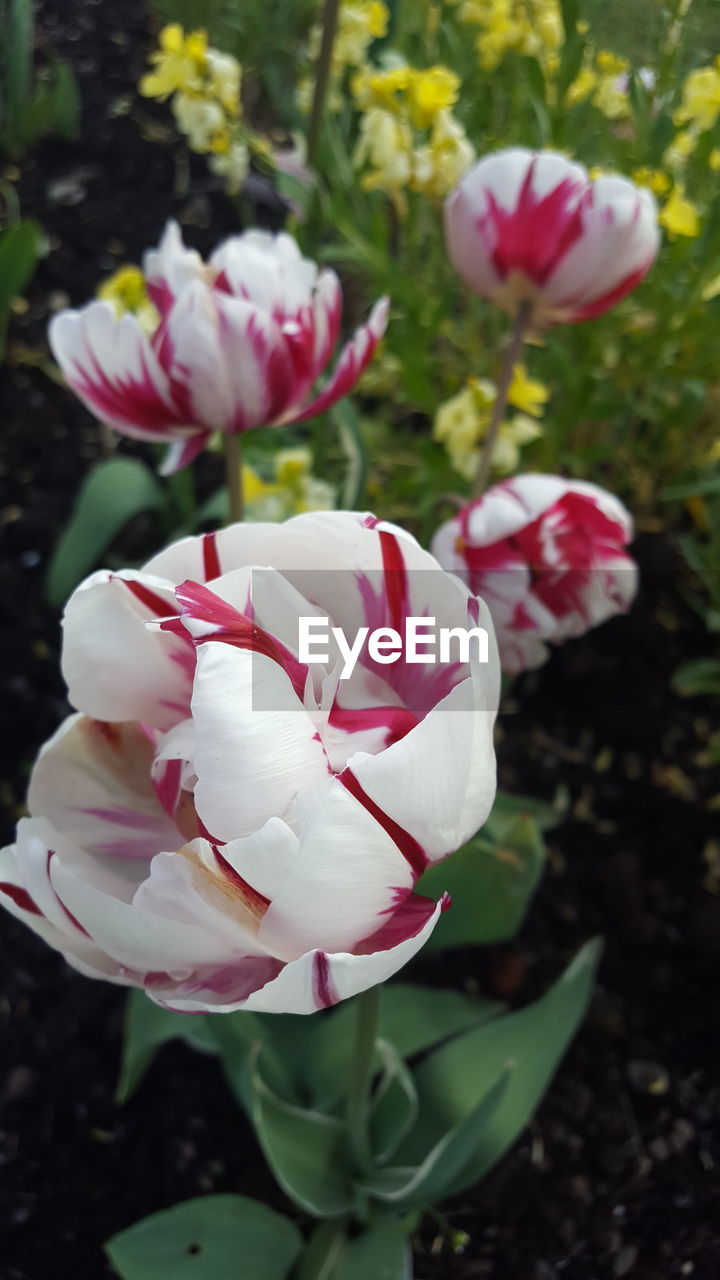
455 1087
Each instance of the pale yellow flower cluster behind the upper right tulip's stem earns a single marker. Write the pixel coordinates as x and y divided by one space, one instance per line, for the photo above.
462 423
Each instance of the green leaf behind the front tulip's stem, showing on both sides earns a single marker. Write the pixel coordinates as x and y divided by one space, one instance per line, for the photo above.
412 1020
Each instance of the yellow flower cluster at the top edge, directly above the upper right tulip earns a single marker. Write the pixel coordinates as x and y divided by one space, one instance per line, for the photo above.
534 29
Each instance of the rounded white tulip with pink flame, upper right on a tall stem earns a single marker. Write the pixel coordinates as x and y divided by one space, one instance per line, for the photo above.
532 227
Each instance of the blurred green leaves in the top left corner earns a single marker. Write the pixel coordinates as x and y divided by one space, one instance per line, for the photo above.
33 104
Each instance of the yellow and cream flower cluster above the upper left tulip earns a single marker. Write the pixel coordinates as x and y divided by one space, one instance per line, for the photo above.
204 86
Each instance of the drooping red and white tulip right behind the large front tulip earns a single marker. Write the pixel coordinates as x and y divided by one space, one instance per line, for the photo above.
549 557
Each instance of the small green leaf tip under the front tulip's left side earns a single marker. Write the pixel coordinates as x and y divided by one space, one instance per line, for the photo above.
147 1030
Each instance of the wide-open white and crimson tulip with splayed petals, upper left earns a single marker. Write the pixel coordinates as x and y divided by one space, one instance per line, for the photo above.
241 342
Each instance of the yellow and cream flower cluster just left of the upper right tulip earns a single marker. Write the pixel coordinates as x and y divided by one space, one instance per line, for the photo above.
409 138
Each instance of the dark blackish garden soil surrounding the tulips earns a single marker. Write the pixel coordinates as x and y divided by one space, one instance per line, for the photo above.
618 1176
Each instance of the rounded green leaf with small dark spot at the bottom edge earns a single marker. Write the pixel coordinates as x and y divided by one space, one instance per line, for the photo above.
209 1238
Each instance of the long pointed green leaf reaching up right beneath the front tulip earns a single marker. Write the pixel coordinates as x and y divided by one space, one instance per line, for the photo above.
454 1080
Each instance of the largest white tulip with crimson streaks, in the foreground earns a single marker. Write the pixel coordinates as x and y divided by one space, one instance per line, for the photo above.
227 828
